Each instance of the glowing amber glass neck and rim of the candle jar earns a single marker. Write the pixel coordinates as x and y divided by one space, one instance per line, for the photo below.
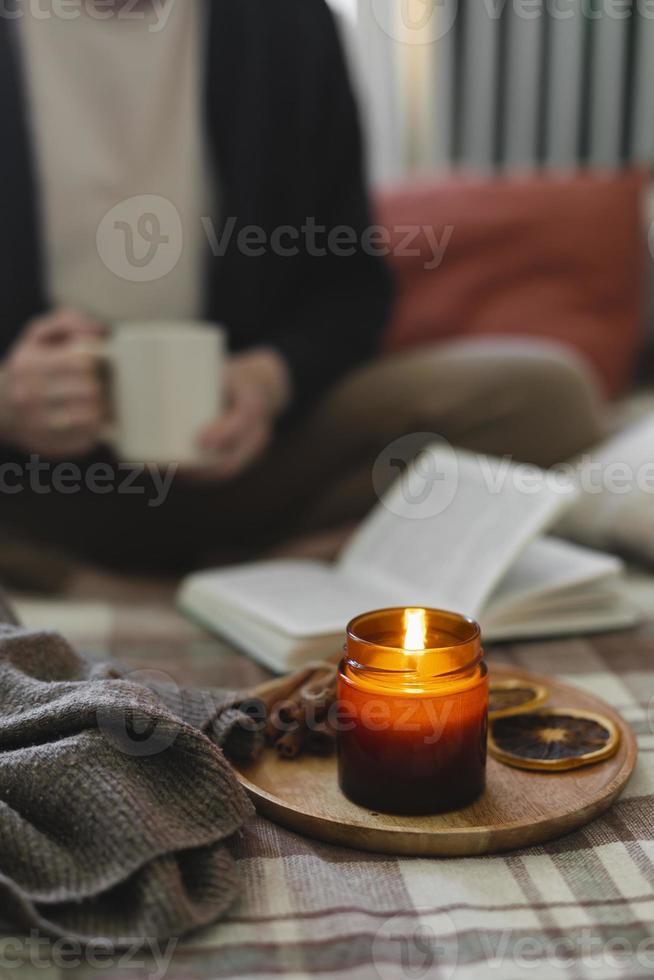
375 653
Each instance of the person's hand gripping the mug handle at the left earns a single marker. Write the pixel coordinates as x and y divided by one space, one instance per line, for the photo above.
51 398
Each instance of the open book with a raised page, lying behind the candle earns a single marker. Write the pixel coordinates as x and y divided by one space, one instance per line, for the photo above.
463 533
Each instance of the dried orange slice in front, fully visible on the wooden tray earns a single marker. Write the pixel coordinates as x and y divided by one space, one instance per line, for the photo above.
553 739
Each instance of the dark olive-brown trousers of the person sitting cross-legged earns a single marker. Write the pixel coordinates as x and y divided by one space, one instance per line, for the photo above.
525 399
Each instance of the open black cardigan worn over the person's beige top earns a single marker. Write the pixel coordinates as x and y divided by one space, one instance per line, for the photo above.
283 131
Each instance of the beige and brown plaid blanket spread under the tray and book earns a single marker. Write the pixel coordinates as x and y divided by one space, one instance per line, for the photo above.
582 906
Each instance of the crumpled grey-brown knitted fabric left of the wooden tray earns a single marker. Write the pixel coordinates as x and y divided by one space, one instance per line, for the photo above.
118 808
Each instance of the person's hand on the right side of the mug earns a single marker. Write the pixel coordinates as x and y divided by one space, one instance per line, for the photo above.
258 391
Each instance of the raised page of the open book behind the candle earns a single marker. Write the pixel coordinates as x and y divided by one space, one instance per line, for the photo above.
451 526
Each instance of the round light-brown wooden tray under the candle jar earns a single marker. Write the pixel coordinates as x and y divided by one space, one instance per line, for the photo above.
518 808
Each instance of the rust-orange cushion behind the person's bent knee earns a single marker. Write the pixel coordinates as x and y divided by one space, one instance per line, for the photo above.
560 258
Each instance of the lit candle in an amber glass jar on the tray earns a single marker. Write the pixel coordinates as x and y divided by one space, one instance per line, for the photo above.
413 712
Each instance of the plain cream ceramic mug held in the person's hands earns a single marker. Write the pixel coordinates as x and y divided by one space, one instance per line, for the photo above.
167 385
